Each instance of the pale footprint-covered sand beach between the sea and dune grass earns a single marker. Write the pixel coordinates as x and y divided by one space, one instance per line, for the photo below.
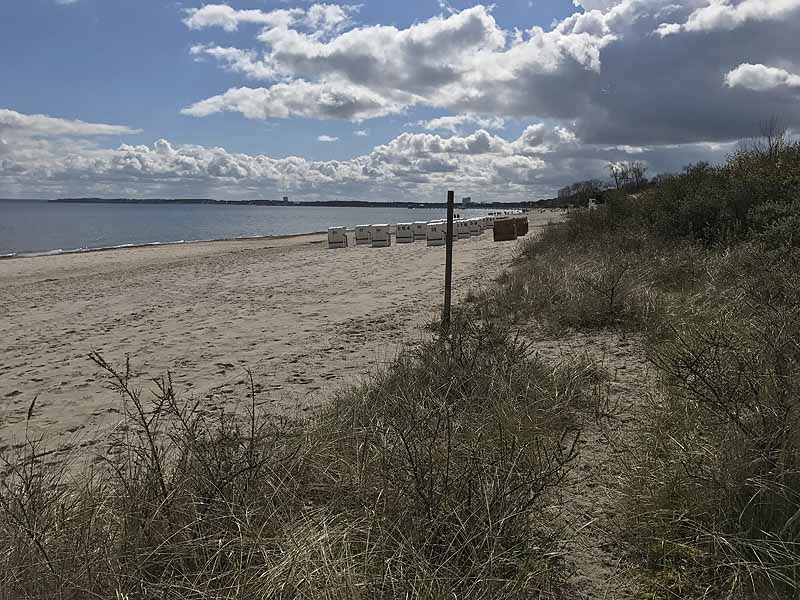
303 319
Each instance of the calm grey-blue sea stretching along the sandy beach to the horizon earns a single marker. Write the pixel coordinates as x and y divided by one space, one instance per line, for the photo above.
32 227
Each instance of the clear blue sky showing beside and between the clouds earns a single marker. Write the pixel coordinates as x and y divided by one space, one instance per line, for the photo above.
128 62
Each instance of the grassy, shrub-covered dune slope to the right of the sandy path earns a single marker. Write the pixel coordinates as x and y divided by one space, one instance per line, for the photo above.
705 265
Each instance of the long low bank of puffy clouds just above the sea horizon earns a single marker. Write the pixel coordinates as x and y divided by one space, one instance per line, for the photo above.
532 165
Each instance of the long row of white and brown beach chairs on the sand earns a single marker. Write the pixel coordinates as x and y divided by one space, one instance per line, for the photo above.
505 228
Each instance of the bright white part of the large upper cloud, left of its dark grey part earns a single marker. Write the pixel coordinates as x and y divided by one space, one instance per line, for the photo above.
463 62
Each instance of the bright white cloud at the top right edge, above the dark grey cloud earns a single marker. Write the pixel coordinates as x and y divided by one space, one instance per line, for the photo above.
726 15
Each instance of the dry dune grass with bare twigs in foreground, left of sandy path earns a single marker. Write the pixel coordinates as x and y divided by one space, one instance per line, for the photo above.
435 479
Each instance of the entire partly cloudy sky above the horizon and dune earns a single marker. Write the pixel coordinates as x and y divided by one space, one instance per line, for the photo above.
380 100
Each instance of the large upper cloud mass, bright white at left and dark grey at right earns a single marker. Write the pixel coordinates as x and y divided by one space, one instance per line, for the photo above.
601 71
